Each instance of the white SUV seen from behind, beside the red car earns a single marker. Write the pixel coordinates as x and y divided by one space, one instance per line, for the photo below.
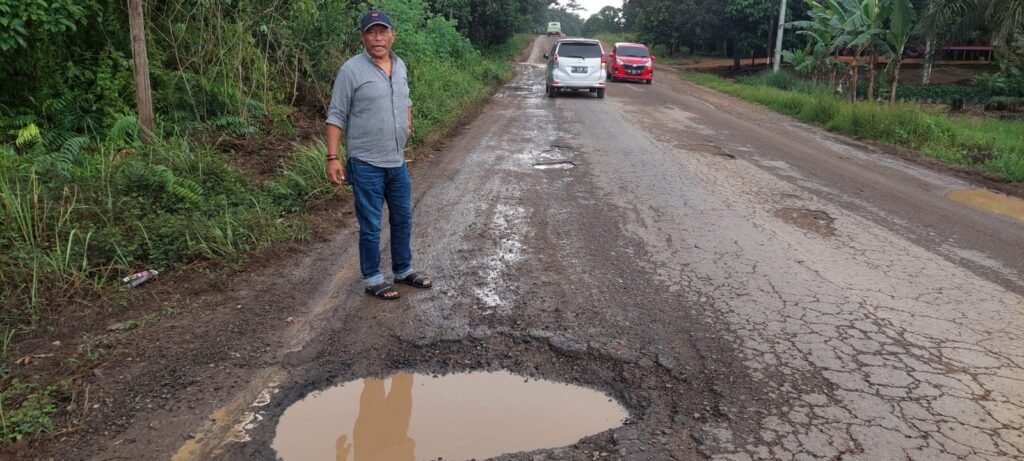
576 65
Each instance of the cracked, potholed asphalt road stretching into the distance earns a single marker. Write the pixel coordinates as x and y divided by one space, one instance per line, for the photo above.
744 286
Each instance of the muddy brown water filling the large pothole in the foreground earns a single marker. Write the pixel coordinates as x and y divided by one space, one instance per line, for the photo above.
455 417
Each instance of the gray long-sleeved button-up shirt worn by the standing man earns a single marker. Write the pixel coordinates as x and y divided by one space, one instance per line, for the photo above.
373 110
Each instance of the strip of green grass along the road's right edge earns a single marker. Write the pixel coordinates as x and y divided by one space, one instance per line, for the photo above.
991 146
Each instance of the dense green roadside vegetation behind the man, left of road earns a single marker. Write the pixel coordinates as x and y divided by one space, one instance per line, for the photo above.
84 201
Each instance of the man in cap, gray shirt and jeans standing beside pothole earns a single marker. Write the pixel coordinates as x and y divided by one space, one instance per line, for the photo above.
370 105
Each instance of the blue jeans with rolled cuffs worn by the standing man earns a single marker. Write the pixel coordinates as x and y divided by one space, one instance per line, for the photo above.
373 187
